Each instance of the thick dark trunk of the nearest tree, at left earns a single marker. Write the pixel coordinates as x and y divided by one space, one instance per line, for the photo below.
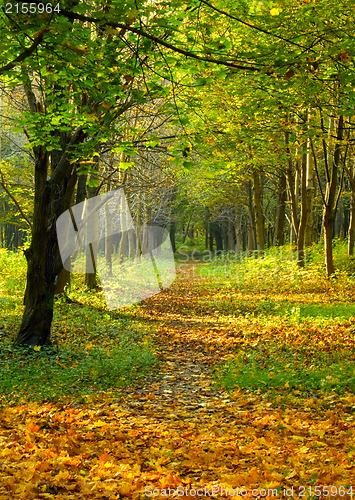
43 259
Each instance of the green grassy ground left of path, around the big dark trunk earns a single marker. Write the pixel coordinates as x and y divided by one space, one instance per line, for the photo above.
93 350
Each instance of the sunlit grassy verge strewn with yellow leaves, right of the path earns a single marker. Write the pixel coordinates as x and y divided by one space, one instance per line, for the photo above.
296 329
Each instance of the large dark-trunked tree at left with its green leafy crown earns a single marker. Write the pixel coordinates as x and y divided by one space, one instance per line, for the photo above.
77 87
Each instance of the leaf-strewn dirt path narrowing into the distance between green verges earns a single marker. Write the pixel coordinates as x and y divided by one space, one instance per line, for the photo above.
185 351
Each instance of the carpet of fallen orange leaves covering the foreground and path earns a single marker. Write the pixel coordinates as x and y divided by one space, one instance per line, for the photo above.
177 433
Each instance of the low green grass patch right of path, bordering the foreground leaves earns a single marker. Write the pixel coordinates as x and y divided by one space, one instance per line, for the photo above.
282 369
